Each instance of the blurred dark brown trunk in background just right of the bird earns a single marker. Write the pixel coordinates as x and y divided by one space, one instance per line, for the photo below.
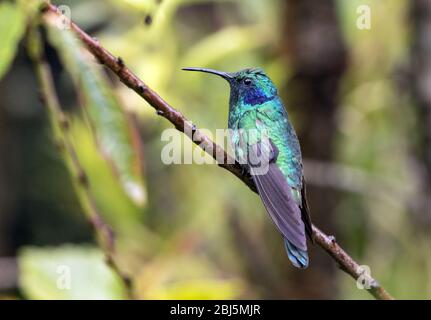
313 43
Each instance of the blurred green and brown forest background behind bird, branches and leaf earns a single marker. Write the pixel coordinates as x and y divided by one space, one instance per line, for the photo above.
359 99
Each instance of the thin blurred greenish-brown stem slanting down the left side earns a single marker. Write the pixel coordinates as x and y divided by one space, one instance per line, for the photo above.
60 124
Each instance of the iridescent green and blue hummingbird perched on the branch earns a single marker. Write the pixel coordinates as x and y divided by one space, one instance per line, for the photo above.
266 145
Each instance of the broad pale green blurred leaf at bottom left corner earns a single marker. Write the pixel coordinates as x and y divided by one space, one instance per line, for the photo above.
67 272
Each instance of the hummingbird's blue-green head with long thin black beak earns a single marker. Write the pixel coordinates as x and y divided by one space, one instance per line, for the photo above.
249 86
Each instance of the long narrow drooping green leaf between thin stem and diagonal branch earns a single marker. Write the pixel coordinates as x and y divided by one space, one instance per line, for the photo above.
116 137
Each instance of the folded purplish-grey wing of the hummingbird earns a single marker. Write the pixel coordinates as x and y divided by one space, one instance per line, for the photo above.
276 194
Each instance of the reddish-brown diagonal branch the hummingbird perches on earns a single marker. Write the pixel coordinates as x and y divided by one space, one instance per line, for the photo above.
184 125
